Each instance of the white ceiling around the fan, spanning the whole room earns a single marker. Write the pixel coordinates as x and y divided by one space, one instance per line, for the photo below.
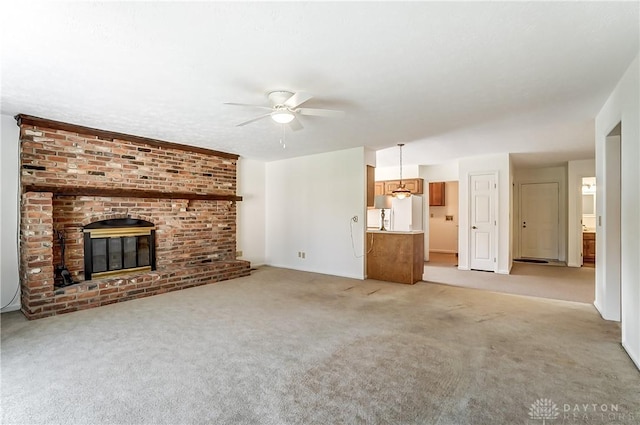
449 79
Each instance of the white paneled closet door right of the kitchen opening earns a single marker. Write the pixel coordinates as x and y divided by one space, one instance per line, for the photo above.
482 252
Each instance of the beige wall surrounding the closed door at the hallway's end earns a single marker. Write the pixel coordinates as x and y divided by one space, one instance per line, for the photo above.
542 175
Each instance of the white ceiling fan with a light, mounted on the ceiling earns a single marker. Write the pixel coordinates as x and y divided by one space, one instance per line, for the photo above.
285 108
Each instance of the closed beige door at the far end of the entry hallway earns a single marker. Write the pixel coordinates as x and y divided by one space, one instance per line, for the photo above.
539 220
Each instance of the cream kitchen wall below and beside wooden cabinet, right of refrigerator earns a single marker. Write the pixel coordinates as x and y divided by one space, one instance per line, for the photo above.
443 234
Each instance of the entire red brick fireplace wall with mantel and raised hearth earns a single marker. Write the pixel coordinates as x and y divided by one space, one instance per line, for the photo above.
73 177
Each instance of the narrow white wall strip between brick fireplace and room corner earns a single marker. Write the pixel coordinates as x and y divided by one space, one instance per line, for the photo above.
251 211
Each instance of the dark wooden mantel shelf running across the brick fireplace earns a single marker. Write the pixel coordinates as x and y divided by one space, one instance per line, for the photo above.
128 193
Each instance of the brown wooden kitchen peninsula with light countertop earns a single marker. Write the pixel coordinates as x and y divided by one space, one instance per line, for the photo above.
395 256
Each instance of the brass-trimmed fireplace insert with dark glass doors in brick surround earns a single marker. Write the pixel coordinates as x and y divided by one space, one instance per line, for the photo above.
118 246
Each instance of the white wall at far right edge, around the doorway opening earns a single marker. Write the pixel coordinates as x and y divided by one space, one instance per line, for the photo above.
623 106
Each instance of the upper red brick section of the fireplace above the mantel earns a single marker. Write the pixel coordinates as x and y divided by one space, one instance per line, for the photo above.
66 158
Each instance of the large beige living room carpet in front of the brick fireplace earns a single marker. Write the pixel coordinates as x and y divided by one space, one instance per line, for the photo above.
288 347
